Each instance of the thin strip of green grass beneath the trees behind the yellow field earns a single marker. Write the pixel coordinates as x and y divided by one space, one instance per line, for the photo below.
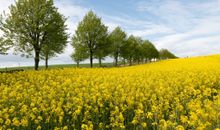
96 65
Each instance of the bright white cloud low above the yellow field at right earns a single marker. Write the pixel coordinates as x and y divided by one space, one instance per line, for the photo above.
202 39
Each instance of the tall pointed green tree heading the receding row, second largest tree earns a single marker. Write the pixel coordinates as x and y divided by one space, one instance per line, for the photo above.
91 34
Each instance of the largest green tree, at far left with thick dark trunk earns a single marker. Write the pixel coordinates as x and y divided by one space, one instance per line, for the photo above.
30 26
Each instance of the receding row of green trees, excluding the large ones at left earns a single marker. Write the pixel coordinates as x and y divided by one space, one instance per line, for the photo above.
92 40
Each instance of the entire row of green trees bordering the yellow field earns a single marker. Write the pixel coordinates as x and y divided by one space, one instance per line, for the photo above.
36 29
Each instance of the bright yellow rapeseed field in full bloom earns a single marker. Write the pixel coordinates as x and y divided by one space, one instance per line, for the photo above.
173 94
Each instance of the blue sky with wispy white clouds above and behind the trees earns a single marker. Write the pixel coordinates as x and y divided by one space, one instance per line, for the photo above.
186 27
